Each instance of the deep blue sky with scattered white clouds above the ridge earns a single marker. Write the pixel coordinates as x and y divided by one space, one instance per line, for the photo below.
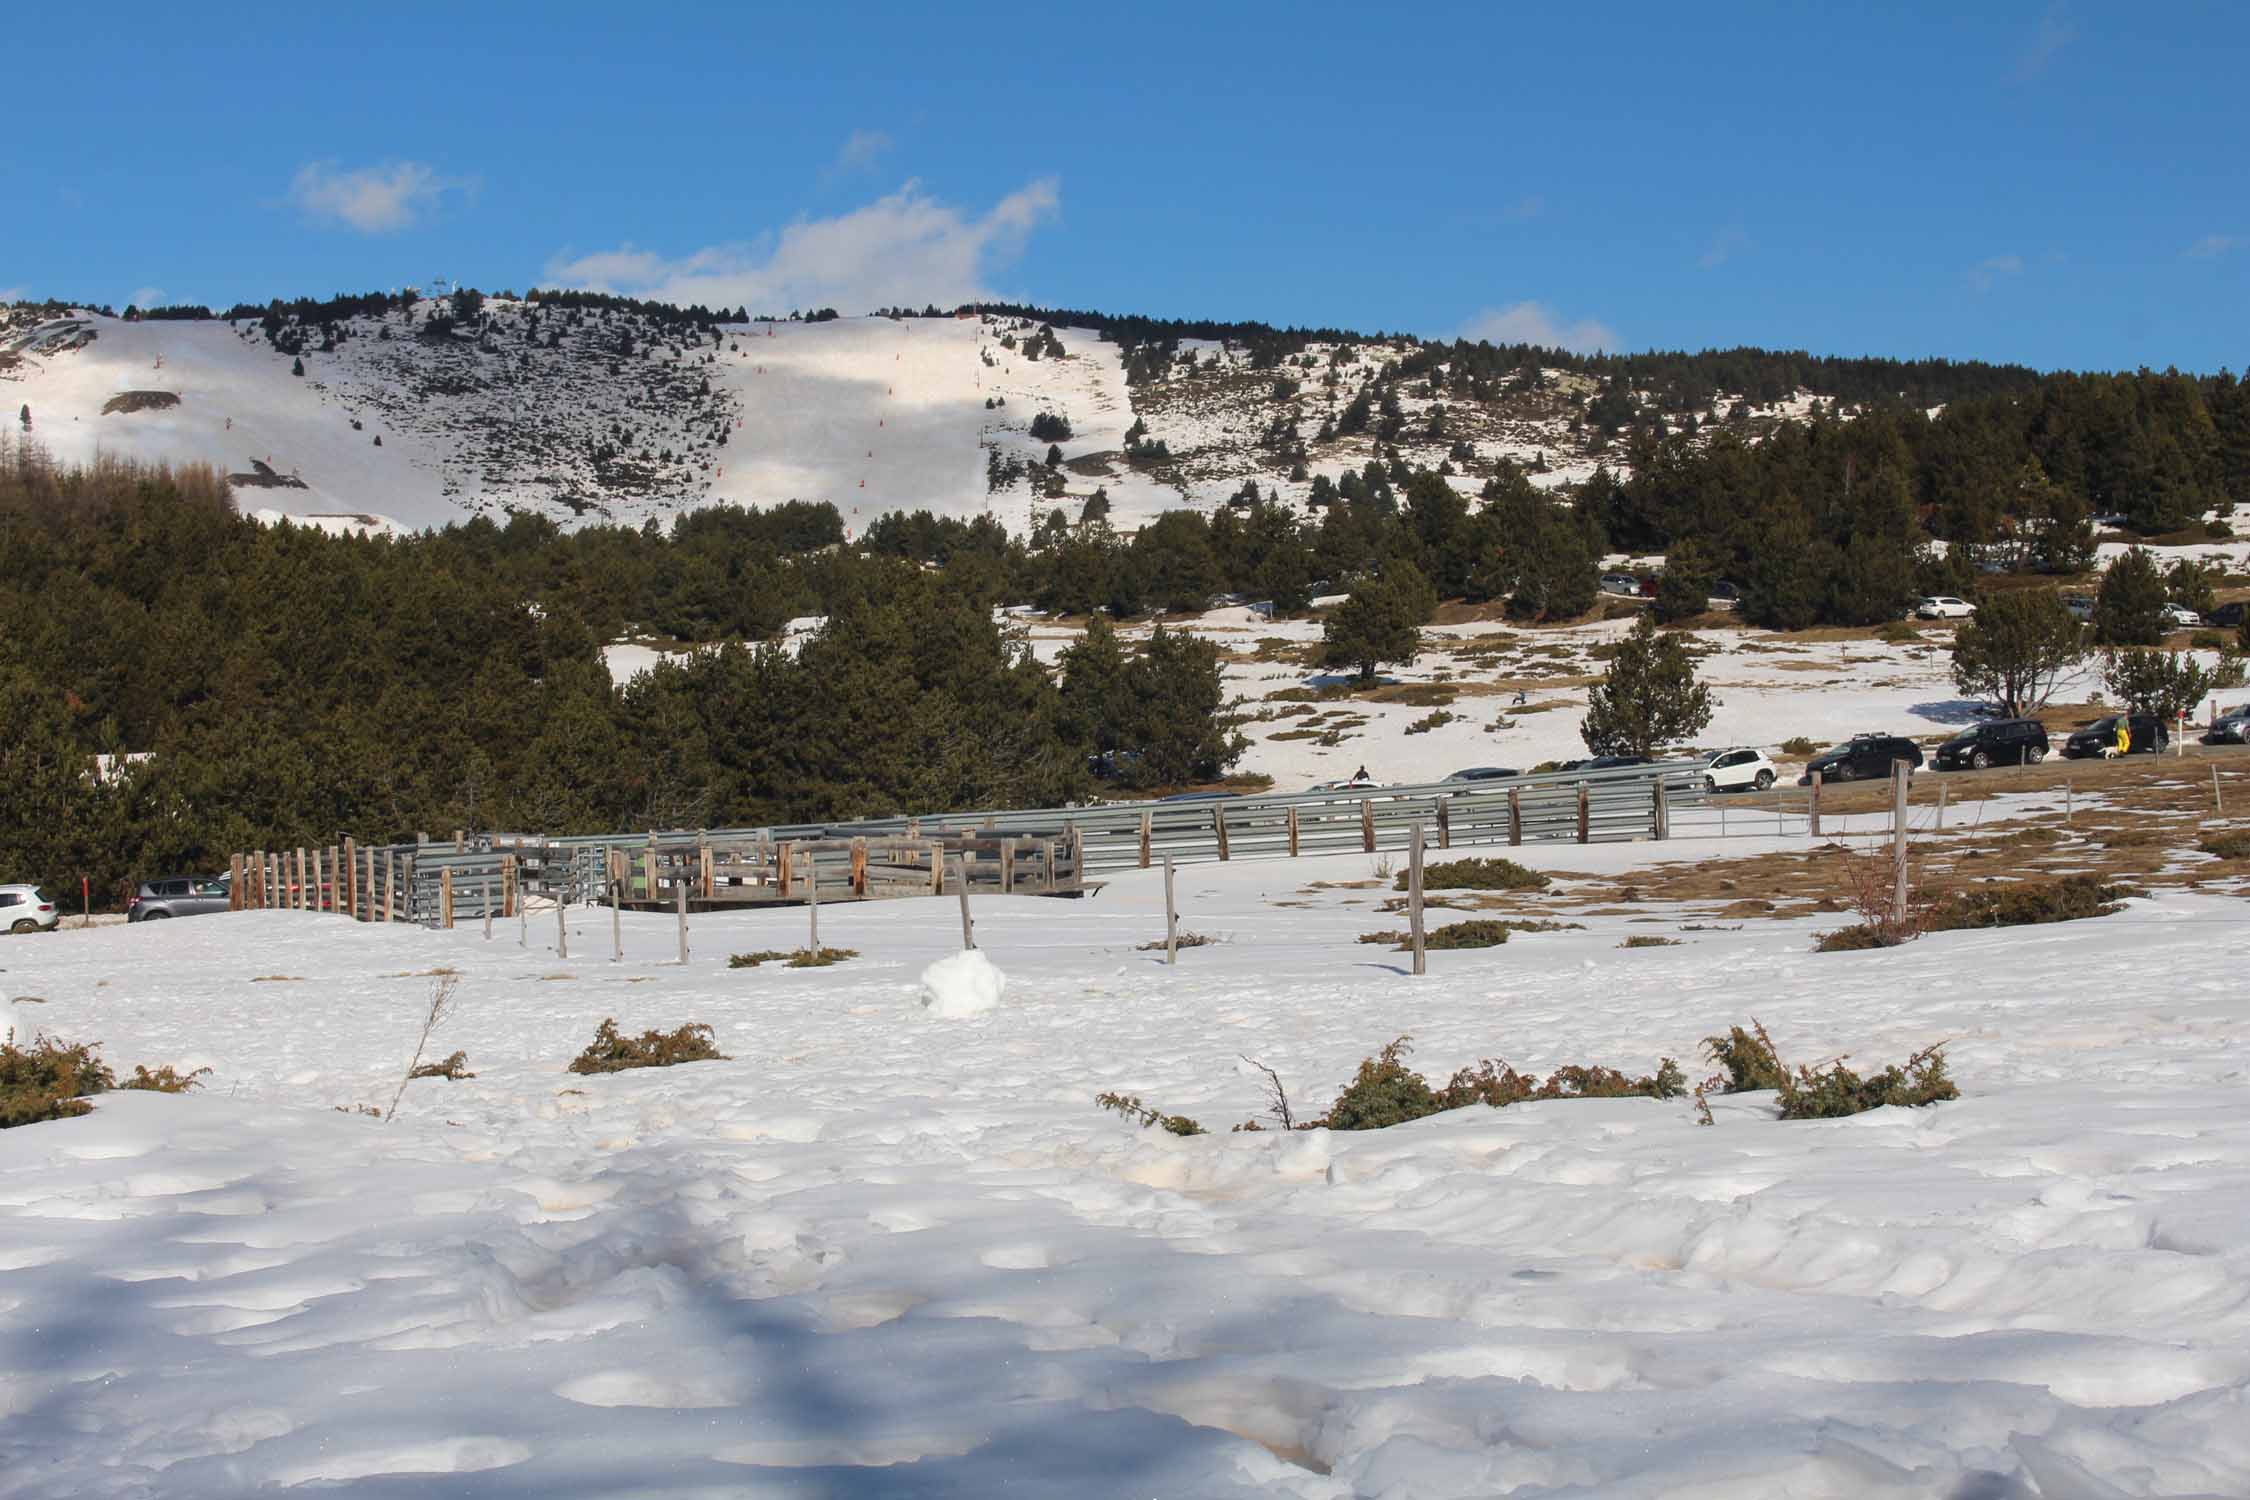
2062 186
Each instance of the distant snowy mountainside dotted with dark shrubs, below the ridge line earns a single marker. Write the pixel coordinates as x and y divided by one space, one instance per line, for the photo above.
613 415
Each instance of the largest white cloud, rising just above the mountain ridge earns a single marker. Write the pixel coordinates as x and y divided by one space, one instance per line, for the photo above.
903 249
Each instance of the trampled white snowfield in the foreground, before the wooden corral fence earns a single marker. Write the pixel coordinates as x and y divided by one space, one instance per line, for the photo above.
883 1254
